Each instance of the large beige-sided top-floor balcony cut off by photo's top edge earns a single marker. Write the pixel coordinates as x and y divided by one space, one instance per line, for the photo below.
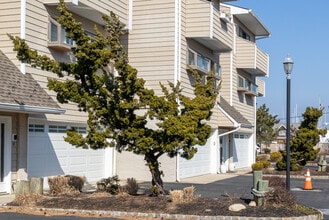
204 25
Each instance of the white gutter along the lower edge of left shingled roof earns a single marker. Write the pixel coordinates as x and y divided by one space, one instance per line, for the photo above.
31 109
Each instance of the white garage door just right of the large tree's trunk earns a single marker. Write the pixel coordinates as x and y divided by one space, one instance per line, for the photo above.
200 164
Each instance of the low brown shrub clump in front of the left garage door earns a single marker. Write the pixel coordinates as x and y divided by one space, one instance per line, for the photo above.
65 184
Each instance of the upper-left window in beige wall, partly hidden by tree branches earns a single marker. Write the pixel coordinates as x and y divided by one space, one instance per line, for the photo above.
57 36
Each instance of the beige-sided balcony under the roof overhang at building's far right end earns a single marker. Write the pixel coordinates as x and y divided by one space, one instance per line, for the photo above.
250 58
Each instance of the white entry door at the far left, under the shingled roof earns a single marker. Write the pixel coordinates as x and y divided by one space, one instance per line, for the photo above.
5 154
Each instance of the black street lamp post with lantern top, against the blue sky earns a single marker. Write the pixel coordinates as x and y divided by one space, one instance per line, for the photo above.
287 65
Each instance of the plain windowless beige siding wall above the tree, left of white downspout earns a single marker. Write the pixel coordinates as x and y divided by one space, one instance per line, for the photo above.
151 41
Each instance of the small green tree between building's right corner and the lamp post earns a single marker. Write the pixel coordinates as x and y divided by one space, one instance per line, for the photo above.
265 122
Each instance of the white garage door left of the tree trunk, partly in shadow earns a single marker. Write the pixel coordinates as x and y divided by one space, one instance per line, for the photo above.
50 155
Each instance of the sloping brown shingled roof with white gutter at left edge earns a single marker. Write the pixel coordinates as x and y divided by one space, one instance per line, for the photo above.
21 93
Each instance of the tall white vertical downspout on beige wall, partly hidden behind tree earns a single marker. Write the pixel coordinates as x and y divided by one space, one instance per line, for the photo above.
178 58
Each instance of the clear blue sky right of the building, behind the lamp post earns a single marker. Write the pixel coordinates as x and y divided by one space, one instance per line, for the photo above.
300 29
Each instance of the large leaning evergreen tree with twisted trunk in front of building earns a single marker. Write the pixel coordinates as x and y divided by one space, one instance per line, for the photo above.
122 113
